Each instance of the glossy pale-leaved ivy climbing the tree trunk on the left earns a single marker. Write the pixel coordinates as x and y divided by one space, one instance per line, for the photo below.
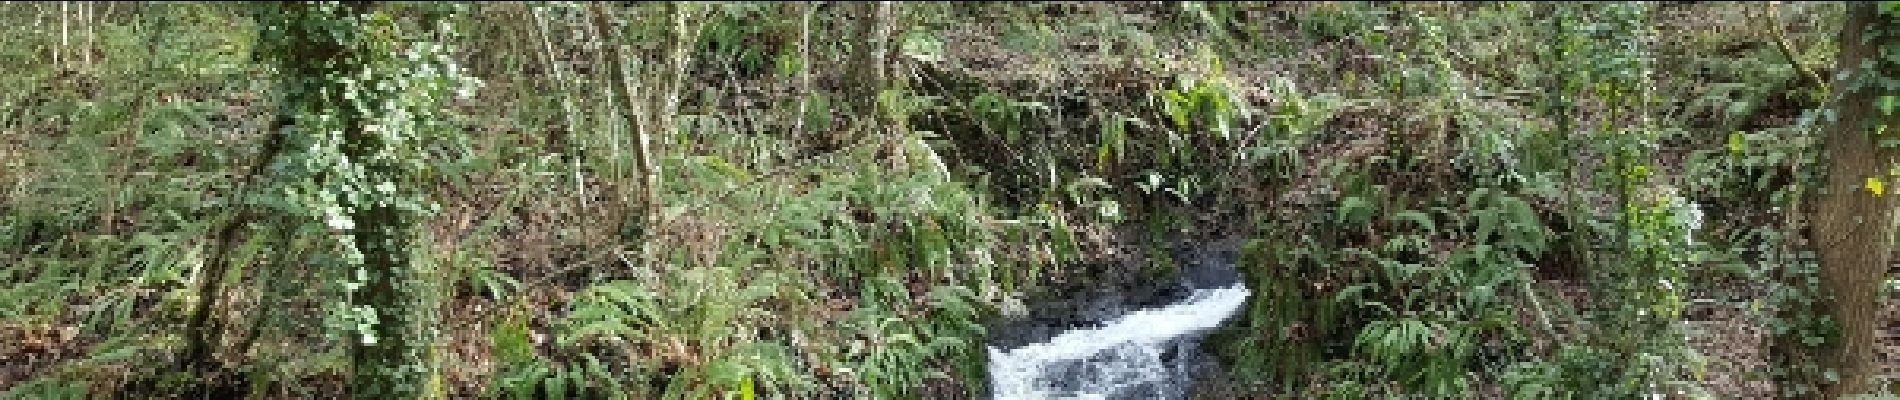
364 96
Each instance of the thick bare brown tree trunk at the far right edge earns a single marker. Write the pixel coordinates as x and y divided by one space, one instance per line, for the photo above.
1853 219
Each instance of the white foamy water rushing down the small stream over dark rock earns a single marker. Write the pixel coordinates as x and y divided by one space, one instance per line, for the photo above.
1133 357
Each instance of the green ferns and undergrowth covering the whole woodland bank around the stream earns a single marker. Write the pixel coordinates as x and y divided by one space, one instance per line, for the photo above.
1426 179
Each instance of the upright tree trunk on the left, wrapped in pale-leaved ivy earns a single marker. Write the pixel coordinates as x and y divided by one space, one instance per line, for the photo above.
314 48
